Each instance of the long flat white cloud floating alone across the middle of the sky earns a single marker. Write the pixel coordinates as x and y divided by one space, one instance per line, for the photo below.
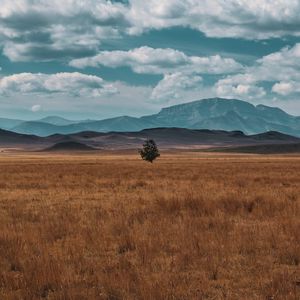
148 60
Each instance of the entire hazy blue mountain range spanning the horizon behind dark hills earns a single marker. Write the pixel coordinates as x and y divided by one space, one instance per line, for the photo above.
212 114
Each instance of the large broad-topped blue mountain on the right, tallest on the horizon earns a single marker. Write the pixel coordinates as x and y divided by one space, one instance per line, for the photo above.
227 114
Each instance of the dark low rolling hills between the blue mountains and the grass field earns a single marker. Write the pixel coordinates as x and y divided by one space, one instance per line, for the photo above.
166 138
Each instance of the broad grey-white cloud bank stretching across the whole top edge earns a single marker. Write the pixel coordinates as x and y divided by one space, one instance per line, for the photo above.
61 30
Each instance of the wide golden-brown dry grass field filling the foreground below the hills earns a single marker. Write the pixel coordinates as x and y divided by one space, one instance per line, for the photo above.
189 226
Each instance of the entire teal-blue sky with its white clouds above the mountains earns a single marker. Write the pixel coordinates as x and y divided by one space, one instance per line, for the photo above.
97 59
